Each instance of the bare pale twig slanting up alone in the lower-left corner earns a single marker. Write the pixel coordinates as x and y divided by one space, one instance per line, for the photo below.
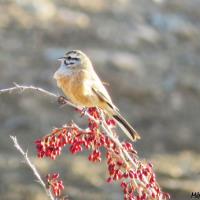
32 167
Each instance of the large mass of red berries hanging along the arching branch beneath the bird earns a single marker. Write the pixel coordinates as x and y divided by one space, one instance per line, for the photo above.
137 178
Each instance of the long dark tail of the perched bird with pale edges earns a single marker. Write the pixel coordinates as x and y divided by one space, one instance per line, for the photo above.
129 130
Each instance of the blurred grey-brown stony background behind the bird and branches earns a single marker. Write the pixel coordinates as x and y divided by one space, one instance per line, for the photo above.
148 51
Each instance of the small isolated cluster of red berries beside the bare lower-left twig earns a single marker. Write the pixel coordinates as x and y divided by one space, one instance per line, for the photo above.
54 184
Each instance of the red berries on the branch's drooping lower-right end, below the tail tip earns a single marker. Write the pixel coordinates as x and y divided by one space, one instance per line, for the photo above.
138 182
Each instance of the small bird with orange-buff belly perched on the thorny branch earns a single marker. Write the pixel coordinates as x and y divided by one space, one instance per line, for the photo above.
80 83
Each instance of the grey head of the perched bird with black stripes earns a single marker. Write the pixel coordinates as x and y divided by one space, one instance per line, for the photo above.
72 61
